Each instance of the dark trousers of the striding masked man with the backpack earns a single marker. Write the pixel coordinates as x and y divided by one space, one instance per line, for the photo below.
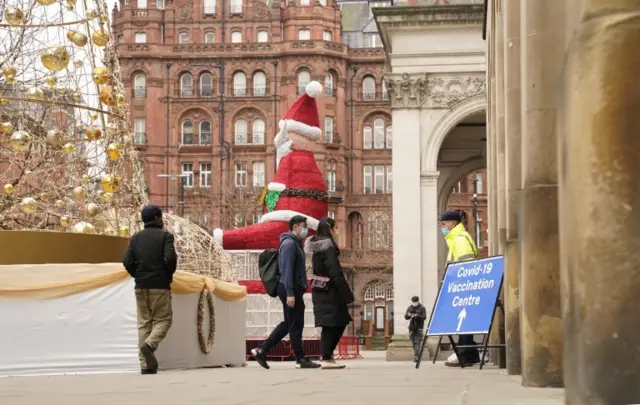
292 325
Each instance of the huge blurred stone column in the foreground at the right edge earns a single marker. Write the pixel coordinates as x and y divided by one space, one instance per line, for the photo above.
600 185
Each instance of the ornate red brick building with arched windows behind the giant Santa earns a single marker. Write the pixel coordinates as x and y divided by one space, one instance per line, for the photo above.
208 81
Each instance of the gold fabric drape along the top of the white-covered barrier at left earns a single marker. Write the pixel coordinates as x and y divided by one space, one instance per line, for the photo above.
48 281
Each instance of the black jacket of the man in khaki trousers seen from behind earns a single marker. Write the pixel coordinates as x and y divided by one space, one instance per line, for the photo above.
151 257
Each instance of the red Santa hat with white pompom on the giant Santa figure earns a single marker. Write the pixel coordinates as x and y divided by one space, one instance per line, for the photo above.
302 116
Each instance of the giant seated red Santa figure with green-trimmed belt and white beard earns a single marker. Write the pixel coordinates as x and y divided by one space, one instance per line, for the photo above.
298 187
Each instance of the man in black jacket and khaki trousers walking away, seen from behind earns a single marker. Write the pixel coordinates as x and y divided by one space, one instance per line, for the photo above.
151 260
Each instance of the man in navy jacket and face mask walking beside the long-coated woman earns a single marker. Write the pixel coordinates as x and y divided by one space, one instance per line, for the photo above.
291 288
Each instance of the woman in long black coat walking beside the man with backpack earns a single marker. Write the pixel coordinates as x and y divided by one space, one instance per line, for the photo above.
330 291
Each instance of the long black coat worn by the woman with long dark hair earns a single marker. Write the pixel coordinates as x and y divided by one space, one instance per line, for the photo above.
330 307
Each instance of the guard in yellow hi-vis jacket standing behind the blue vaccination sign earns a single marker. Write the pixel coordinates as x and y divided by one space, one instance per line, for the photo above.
461 248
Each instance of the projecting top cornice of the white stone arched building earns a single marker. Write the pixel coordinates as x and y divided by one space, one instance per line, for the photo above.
425 16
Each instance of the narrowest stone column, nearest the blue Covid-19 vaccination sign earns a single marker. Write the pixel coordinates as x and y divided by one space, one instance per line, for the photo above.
513 183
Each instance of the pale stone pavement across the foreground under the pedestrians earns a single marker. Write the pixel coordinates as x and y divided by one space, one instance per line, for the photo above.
370 381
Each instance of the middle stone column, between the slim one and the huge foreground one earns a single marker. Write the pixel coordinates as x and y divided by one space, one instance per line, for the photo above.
542 30
